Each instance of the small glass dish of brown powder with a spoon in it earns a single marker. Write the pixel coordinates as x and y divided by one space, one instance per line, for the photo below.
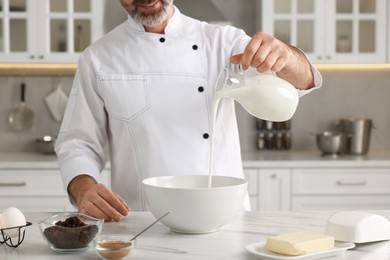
114 246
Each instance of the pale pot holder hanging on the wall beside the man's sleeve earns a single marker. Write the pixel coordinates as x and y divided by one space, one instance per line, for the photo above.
56 102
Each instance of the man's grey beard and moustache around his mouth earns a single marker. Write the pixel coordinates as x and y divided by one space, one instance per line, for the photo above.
148 19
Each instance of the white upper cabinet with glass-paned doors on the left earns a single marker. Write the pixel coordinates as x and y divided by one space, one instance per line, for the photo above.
48 31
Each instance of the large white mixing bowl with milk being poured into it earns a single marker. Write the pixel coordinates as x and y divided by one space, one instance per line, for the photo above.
194 207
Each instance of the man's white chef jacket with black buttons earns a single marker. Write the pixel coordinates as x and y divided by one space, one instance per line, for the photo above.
149 96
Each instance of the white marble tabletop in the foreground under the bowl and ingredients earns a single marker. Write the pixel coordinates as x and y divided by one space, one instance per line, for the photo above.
228 243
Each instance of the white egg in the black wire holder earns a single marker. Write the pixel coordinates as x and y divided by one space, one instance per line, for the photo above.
12 217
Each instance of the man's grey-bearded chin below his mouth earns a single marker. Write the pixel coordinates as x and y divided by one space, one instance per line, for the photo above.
152 18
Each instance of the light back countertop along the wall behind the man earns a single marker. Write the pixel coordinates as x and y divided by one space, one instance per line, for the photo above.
272 159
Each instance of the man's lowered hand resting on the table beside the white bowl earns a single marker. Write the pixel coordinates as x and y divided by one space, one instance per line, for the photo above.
96 200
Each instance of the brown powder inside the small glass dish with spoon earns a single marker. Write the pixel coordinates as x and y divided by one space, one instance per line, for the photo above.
114 249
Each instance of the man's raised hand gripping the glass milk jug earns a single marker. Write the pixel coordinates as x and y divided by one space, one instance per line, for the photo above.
266 53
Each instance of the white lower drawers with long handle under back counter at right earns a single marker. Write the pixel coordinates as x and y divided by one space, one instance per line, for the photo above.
350 188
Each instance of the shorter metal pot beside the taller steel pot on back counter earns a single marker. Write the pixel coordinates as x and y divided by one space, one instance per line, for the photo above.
331 143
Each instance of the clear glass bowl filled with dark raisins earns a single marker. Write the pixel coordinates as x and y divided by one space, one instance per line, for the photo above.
70 232
